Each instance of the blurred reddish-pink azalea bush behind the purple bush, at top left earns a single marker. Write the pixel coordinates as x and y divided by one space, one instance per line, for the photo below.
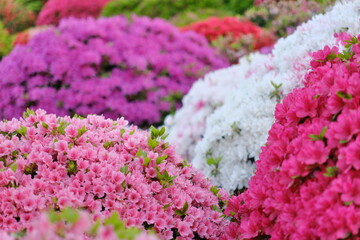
55 10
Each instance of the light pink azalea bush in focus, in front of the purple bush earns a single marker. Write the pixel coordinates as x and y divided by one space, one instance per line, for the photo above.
101 165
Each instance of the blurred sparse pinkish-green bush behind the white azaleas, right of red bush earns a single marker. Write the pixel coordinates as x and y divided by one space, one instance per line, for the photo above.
282 17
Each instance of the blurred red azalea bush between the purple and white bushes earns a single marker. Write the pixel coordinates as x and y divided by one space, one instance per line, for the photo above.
232 36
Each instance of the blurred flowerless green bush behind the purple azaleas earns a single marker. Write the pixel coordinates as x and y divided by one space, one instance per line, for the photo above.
157 8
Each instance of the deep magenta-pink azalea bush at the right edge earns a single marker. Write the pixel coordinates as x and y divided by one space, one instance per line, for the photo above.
307 182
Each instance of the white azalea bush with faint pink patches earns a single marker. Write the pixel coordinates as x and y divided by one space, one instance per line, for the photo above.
230 145
